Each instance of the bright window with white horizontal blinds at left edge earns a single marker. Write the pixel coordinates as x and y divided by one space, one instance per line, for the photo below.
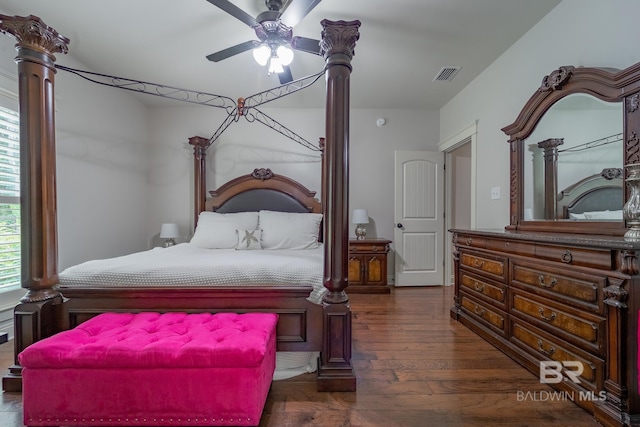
9 199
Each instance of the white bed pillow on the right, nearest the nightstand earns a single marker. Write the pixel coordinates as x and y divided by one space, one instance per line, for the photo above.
285 230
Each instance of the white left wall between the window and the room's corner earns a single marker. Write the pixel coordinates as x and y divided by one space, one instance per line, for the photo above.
101 138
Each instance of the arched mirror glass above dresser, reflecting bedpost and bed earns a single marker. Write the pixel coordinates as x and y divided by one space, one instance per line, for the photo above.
583 137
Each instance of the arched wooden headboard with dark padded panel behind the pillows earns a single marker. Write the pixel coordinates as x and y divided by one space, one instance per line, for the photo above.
262 189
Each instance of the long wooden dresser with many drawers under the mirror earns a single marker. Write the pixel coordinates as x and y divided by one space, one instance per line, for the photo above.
560 298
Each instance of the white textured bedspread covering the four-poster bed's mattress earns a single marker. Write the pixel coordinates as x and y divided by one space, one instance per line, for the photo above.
188 265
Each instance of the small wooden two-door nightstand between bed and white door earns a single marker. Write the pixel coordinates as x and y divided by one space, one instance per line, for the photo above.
368 266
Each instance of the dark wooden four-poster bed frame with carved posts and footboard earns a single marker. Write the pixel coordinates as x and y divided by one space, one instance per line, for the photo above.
312 317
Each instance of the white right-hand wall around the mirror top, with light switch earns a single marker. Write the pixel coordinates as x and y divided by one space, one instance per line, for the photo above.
589 33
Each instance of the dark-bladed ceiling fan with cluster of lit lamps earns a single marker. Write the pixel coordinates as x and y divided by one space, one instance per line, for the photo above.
274 29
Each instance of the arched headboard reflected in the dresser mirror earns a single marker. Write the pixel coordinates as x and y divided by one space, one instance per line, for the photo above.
599 192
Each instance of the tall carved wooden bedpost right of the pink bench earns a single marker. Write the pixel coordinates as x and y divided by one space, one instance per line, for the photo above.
335 371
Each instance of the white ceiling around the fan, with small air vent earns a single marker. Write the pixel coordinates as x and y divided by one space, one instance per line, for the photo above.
403 44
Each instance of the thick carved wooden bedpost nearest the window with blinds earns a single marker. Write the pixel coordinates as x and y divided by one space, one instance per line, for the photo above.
38 314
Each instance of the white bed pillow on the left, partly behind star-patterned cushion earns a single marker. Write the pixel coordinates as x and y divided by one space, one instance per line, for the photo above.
218 231
